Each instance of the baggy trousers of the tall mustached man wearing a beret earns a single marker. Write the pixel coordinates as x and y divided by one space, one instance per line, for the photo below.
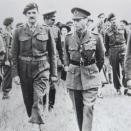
34 78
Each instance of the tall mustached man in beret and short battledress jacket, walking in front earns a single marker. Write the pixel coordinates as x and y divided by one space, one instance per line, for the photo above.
34 58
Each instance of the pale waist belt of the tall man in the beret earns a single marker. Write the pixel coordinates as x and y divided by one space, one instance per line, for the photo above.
24 58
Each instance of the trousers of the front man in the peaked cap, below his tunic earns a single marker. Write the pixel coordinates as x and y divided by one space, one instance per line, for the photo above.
83 103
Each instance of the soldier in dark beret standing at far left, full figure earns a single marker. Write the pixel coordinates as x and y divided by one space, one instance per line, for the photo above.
7 78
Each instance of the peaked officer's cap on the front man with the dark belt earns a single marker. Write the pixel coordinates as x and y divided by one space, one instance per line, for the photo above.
79 13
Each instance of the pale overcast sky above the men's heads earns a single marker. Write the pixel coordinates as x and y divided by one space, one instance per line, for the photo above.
15 8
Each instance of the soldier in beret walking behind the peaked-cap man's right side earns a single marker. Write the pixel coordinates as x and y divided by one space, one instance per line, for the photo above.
115 43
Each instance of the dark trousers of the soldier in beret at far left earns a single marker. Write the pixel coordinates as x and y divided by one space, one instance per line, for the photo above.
7 79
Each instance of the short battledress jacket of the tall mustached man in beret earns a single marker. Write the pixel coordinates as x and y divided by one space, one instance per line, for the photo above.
37 44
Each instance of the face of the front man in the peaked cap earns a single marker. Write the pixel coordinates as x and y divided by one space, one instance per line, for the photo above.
80 24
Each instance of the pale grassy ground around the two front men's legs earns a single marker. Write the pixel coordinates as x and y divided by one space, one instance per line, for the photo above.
112 113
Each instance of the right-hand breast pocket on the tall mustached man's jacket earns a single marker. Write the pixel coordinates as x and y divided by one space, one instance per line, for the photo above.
42 41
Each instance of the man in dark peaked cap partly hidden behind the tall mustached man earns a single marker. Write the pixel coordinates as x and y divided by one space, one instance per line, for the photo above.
49 19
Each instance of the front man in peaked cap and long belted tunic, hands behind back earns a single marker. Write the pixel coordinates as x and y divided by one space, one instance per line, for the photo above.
83 59
